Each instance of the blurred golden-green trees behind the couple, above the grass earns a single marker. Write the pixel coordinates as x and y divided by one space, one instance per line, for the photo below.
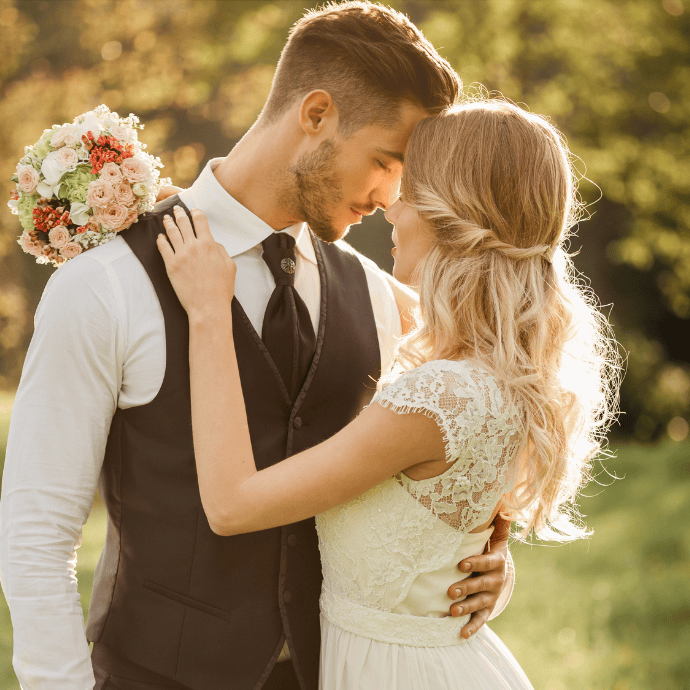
614 77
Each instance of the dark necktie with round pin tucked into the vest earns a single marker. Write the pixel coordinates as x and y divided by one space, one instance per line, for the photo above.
287 330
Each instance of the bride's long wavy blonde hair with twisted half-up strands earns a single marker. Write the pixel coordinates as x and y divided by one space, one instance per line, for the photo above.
497 188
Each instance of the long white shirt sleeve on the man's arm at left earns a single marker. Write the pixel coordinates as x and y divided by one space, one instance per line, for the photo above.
58 432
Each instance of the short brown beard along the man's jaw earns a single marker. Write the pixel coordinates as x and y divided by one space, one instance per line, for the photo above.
315 188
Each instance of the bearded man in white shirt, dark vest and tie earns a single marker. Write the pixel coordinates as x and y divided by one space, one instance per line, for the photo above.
107 379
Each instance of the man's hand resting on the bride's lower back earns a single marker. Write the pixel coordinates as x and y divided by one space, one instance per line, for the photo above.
483 588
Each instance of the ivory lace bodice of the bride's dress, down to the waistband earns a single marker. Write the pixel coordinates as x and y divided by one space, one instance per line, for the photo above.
403 533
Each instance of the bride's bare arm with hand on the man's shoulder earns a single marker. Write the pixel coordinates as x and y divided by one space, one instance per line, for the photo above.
237 498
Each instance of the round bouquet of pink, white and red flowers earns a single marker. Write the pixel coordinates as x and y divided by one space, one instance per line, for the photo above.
82 183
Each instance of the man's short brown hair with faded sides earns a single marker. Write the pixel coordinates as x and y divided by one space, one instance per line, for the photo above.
369 58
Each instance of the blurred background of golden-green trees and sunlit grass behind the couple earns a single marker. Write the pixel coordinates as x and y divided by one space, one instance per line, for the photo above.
614 76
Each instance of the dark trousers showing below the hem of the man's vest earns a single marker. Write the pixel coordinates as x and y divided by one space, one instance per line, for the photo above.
114 673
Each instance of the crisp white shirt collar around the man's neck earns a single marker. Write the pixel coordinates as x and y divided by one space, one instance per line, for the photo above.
234 224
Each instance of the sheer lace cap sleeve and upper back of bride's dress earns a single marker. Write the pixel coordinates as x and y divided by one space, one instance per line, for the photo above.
481 435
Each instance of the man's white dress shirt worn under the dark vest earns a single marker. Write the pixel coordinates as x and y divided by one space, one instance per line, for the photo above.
99 344
